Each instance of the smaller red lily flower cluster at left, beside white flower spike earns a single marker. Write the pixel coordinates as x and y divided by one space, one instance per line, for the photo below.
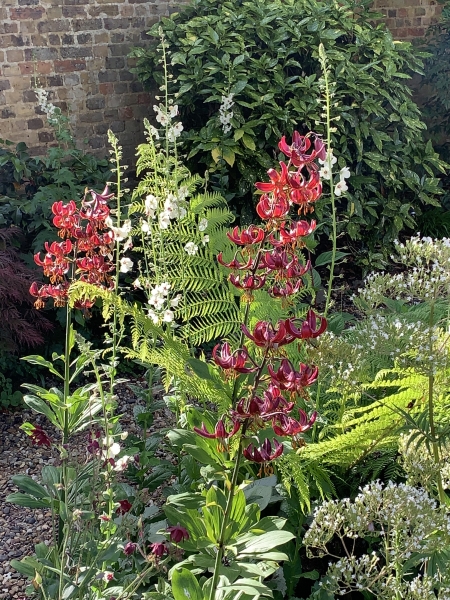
85 250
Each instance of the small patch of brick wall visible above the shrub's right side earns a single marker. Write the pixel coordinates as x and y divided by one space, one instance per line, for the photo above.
408 19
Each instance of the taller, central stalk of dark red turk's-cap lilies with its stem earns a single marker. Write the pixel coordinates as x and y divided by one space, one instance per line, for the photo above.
267 257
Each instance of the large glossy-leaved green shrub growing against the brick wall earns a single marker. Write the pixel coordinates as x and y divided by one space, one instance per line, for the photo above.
266 54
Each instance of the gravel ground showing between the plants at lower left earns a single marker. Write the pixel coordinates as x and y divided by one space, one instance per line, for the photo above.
21 528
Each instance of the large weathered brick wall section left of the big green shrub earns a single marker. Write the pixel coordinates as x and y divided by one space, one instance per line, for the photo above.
77 50
